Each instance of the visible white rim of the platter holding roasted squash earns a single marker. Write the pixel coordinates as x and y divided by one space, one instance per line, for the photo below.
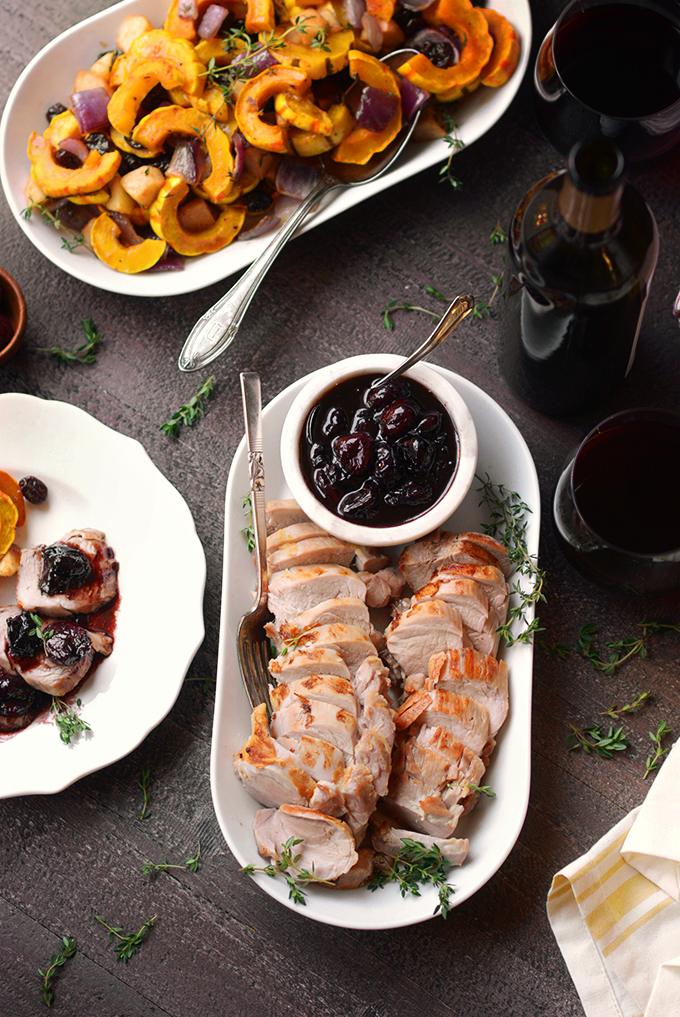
49 78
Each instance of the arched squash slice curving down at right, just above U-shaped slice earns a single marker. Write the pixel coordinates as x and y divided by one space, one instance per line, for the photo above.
153 131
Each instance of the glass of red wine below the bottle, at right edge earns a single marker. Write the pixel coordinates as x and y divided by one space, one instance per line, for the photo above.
616 509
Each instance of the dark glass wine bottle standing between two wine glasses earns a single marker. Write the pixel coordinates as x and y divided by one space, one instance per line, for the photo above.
583 251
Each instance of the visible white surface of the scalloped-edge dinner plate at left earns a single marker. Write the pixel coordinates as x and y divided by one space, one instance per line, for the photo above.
91 470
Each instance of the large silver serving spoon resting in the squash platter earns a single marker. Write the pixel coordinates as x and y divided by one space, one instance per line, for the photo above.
217 329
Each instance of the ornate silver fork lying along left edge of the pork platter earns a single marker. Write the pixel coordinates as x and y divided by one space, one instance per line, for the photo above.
253 644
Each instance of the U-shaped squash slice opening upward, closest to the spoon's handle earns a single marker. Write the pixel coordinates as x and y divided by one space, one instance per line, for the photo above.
165 223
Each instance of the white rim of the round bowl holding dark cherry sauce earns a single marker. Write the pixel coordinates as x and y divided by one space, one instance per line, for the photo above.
387 536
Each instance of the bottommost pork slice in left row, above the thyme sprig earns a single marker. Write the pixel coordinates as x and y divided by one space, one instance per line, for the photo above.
327 845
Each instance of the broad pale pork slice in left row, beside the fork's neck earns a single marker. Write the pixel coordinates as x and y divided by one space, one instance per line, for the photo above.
295 590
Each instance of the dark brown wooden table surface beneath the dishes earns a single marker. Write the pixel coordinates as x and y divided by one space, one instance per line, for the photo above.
221 946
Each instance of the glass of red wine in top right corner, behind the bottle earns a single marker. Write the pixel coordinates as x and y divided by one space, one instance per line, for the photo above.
611 70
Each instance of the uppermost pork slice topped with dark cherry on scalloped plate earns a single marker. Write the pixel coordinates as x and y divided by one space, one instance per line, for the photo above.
79 575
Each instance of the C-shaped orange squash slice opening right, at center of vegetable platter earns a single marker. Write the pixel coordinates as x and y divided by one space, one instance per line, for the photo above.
254 98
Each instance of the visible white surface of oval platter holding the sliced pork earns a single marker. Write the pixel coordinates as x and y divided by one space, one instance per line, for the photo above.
494 826
